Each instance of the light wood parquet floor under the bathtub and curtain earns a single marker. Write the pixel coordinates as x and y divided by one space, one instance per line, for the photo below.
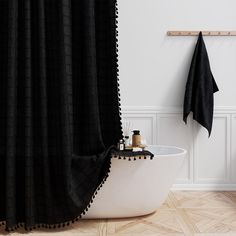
183 213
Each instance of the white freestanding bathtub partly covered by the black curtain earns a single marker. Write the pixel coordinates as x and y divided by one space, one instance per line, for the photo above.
136 188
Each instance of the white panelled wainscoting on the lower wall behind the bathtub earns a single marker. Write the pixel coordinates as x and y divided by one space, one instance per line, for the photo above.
211 162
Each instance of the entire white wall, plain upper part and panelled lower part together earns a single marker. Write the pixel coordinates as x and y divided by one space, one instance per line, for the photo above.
153 73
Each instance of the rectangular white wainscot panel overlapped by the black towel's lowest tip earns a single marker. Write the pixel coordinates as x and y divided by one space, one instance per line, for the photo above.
212 154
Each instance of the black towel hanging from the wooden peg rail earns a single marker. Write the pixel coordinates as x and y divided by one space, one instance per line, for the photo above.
200 88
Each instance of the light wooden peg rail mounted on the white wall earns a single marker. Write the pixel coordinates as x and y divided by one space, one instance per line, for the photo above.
205 33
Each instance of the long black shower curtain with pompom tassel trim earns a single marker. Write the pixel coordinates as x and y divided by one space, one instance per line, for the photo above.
59 113
